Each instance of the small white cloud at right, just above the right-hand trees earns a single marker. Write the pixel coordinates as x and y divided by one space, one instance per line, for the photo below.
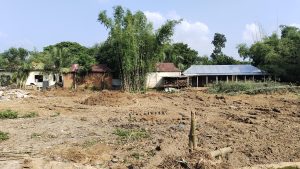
252 33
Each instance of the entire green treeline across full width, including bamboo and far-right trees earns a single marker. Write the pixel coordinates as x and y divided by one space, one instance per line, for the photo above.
133 48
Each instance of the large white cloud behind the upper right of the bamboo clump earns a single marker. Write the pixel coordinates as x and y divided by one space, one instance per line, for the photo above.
195 34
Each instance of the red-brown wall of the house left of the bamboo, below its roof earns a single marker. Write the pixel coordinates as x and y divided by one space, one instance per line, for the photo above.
92 80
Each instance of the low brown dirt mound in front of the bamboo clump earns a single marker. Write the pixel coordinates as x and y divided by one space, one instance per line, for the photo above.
110 99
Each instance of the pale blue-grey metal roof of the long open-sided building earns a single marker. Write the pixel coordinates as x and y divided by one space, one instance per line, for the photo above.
223 70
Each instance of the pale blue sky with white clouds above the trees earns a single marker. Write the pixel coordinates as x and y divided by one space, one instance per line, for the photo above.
34 24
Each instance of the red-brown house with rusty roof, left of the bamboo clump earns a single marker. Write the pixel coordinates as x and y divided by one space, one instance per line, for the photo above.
99 78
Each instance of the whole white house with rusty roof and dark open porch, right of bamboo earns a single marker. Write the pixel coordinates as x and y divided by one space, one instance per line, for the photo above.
166 75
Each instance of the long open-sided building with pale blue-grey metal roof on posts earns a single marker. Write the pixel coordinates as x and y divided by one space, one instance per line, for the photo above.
201 75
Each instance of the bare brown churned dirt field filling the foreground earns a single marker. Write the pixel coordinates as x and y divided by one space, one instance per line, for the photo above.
81 130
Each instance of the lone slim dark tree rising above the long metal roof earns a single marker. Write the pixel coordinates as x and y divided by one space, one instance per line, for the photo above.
219 43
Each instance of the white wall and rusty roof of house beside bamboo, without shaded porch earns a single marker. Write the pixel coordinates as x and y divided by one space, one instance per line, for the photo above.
163 70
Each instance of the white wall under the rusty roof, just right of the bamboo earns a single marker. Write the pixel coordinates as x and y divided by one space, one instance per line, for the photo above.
155 79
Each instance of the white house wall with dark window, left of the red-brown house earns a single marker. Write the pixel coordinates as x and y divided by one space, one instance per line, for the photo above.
46 77
